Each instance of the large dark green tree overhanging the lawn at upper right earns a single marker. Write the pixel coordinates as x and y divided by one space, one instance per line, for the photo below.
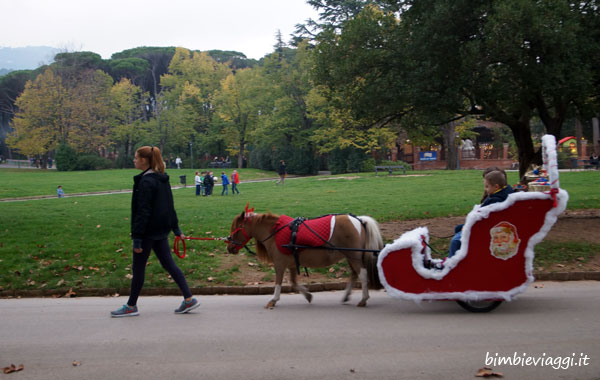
507 60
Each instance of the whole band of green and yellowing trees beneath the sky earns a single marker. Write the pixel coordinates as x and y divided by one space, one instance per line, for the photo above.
338 95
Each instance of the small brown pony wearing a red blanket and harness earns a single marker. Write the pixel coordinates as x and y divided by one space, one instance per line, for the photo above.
336 238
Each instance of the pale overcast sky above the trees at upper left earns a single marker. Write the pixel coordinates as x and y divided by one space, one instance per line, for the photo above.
109 26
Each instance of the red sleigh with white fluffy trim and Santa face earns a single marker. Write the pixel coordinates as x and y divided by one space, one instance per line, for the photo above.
495 261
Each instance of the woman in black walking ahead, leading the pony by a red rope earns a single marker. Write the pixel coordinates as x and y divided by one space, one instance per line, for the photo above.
153 218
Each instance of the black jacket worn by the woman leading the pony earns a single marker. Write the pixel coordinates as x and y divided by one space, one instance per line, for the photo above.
153 214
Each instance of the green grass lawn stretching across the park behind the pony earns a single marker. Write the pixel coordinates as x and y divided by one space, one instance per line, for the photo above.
83 242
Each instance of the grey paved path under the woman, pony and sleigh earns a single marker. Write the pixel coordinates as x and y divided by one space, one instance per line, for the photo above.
234 337
